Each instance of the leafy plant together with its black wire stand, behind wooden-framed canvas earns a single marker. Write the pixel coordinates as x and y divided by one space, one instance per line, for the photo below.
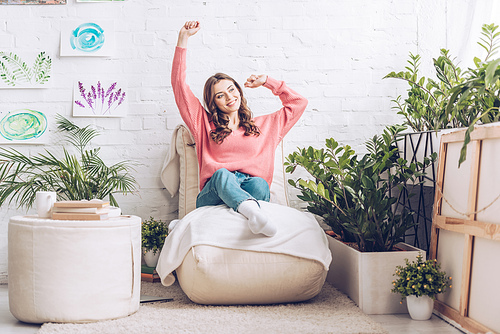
454 99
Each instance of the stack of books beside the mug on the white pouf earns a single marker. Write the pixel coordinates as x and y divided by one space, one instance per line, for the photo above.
80 210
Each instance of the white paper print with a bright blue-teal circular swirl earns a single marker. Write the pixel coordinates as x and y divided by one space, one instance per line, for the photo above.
87 38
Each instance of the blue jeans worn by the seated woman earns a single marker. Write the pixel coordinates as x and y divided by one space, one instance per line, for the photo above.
232 188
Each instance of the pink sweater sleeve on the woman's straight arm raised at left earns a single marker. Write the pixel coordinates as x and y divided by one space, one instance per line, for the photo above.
189 106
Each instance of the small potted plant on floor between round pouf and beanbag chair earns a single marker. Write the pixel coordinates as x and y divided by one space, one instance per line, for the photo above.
154 233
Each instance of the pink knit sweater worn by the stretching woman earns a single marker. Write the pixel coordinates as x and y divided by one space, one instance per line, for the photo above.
253 155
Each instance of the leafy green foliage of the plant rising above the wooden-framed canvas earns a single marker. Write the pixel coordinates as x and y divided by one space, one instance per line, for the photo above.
456 99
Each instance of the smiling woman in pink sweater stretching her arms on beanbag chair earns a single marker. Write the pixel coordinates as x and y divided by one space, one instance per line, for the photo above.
235 151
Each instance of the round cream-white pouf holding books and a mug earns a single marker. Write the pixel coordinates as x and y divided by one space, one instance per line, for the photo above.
73 271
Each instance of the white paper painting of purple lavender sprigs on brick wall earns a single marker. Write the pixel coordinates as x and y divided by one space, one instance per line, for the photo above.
104 99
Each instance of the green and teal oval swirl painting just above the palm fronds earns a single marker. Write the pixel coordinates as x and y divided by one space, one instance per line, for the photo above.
22 126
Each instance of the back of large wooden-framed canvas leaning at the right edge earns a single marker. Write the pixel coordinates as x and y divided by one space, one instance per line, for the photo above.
467 224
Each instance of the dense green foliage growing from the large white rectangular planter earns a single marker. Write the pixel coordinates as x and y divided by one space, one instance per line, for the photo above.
358 197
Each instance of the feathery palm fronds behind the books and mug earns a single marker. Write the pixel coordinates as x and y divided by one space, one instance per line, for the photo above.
73 176
